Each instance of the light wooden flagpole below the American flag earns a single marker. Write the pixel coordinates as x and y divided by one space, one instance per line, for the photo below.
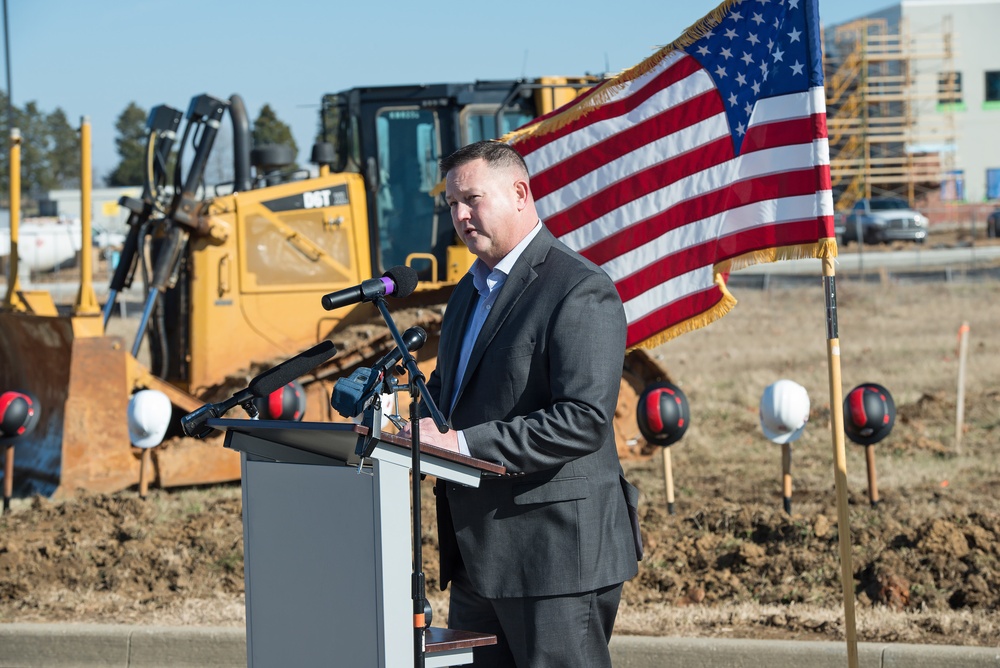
840 458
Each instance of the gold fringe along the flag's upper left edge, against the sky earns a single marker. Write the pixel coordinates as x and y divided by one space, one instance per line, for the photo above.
611 87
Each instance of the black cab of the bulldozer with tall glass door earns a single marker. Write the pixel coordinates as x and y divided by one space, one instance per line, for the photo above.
394 137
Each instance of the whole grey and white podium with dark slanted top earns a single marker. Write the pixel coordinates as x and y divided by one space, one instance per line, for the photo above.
328 549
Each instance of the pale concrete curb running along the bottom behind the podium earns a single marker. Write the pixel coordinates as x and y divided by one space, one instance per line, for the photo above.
84 645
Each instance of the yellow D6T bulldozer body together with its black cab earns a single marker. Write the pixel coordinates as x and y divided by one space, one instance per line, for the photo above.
260 259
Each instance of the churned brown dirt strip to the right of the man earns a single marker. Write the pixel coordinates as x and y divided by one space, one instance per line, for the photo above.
730 553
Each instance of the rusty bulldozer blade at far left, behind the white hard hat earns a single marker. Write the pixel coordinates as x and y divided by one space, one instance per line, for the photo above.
83 384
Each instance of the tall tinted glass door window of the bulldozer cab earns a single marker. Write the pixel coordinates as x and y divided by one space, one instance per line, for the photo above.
408 153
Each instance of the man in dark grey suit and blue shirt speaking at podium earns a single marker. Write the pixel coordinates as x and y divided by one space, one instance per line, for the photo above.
529 366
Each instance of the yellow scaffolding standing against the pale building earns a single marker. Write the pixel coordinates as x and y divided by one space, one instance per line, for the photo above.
891 98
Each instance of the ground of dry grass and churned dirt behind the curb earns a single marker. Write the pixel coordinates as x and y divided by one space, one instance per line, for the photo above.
924 564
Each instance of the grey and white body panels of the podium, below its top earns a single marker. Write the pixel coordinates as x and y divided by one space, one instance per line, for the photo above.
316 593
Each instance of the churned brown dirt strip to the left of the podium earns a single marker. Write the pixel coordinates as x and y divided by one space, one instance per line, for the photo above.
150 552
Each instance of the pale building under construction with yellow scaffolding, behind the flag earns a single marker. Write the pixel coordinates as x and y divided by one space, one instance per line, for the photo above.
913 103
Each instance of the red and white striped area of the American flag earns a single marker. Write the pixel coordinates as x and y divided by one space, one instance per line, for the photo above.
647 186
